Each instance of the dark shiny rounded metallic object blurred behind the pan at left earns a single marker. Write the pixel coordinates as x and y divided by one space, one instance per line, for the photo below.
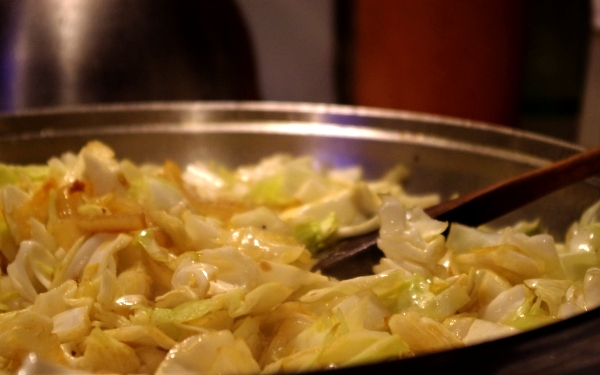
65 52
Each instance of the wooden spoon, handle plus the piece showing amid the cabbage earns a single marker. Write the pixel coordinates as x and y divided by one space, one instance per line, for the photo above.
356 256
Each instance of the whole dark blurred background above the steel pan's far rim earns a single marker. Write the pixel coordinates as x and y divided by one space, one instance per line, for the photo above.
517 63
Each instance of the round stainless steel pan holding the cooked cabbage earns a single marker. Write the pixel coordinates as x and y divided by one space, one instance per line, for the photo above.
444 155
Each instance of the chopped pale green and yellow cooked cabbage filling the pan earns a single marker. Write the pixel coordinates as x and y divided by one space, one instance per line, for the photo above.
108 266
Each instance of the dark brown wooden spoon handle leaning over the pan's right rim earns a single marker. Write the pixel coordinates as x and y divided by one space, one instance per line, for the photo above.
483 205
